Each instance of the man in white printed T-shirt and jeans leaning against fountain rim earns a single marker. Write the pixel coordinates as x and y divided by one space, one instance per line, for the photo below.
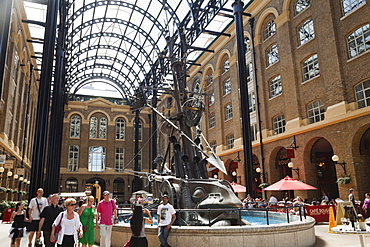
166 217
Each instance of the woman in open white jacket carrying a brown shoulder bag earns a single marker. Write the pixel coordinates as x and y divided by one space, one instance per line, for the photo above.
67 226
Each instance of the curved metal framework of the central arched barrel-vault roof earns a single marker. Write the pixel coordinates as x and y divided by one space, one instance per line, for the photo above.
125 42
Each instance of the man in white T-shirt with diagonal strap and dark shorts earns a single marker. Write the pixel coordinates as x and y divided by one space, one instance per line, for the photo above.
37 204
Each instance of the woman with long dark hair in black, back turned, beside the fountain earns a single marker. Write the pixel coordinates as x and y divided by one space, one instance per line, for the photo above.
137 224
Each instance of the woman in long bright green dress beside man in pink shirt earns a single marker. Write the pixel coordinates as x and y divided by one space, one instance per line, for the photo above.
87 215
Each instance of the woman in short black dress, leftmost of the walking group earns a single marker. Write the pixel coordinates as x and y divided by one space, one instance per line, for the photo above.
18 229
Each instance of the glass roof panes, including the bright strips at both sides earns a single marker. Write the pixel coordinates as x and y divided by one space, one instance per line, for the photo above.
119 42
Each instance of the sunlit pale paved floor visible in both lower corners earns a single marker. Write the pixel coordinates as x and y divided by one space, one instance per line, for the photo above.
323 238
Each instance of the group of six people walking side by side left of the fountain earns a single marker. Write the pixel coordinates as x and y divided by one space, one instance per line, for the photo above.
65 224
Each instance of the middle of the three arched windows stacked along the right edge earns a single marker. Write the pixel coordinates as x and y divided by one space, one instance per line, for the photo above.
359 41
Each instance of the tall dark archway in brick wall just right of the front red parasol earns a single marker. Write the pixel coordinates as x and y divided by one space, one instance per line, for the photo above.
321 154
